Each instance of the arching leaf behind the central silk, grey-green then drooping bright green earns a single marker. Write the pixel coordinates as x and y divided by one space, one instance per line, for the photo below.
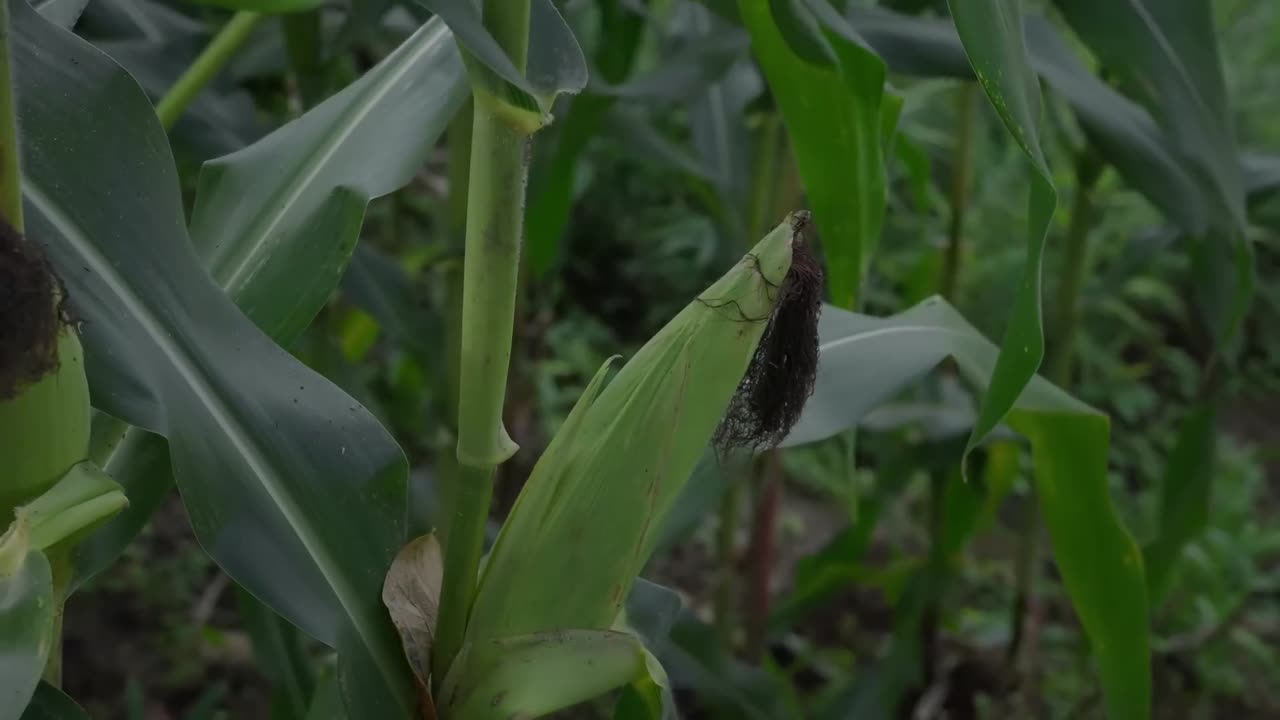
866 361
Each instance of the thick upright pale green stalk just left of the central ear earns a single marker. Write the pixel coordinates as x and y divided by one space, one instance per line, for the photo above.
496 204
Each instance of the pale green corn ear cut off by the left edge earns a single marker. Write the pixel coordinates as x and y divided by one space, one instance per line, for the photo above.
44 429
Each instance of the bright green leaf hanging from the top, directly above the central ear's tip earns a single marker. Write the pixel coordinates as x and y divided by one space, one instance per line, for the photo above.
834 119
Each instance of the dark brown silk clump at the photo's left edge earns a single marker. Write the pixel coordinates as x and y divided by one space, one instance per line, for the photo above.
31 313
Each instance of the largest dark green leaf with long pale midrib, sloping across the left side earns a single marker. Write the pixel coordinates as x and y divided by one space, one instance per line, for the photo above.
294 489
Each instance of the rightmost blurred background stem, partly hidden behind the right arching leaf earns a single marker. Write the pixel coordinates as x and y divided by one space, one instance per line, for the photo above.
1059 370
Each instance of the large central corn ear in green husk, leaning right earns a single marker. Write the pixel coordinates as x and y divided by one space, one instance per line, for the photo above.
588 517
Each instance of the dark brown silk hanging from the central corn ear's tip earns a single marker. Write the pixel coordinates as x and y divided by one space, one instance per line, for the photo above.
781 376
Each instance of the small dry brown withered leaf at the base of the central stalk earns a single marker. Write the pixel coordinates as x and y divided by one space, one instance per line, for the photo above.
413 596
